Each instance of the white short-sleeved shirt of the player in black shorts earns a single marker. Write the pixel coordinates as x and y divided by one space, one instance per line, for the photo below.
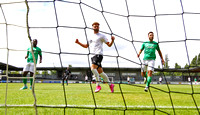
96 43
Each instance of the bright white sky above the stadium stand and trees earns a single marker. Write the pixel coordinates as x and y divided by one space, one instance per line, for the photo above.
175 24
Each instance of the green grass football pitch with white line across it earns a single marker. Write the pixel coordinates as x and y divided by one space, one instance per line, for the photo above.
81 100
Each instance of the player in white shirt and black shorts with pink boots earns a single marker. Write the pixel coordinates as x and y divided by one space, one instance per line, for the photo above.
95 44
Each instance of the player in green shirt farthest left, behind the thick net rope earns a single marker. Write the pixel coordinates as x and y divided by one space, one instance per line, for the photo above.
30 63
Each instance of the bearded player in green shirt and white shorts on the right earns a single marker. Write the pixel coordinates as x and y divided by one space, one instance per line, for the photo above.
149 48
